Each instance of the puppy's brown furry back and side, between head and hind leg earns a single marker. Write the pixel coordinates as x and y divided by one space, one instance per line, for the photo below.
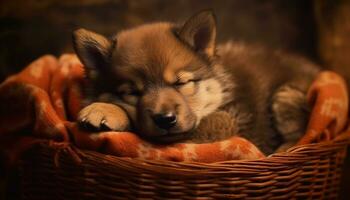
257 74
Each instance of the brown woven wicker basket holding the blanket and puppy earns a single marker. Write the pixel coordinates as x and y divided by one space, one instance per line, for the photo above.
305 172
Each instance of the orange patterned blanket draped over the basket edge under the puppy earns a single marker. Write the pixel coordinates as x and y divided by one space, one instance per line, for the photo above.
42 102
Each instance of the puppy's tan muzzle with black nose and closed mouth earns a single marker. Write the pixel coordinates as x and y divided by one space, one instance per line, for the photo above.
164 115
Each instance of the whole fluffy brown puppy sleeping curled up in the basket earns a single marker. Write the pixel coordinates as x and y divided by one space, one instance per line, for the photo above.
161 80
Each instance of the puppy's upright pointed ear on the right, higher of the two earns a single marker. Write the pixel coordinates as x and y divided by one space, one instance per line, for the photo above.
200 32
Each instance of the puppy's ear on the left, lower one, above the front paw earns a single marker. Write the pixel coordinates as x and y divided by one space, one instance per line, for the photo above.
94 50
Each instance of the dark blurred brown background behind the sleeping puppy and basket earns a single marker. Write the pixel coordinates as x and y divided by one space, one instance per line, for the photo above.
319 29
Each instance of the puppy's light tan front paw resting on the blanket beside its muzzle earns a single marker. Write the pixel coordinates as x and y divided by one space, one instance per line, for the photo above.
103 117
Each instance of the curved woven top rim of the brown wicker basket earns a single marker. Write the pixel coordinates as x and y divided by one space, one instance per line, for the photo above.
294 158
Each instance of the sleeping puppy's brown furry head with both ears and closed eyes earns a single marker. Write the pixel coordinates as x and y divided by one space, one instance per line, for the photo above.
162 70
